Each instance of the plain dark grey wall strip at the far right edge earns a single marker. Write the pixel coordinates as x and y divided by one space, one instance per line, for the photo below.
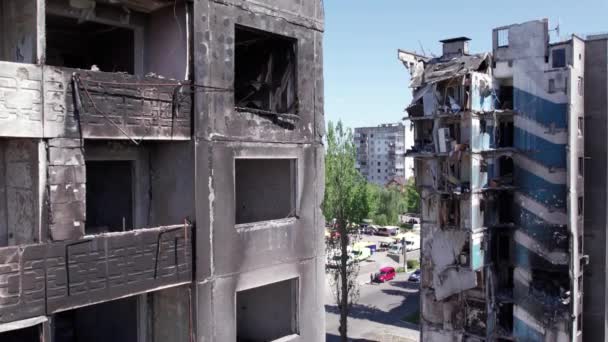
596 163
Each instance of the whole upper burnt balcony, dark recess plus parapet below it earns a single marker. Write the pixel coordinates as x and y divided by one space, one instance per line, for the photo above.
96 69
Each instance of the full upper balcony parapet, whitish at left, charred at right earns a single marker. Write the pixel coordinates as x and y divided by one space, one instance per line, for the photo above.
91 104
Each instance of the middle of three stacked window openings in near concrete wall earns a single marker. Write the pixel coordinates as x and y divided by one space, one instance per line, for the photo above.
265 189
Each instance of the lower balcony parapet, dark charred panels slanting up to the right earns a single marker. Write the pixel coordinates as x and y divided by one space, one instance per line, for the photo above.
40 279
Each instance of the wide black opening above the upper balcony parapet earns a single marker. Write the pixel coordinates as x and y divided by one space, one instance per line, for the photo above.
74 44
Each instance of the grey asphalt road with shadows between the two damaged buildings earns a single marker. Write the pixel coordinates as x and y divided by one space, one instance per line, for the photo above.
378 314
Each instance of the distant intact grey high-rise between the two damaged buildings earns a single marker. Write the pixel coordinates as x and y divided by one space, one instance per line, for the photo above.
380 153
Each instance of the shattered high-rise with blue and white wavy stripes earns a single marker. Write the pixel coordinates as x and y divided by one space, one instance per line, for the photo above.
499 158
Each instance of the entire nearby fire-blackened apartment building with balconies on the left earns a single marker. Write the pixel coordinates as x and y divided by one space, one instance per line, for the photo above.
161 170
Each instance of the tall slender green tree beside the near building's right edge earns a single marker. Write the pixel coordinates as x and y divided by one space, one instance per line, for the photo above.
346 201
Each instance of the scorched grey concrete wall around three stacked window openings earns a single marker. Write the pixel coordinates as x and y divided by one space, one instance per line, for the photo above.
232 257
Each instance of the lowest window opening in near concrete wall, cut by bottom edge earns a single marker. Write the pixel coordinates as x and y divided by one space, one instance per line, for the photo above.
267 313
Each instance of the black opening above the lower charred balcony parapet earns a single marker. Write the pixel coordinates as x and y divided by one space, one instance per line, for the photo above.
109 198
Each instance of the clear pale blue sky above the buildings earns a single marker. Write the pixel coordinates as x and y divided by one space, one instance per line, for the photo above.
365 84
